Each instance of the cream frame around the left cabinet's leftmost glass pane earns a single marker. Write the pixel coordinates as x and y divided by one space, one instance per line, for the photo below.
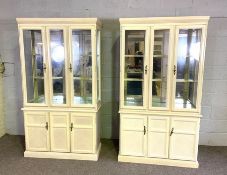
23 67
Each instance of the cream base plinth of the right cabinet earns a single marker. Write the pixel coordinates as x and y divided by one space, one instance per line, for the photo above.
156 161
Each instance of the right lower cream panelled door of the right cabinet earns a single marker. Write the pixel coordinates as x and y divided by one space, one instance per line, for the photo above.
184 140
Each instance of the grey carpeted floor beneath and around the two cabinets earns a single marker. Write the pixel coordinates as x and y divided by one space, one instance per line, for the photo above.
213 161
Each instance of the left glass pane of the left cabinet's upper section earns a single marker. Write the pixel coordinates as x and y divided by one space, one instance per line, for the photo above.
34 66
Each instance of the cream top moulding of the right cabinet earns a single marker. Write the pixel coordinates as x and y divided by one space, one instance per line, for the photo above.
166 20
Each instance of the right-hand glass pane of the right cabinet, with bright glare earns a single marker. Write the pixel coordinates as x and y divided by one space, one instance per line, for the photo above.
188 56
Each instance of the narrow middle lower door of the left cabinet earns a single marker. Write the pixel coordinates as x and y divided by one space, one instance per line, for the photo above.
60 131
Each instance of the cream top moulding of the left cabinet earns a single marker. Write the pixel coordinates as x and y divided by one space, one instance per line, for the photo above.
70 21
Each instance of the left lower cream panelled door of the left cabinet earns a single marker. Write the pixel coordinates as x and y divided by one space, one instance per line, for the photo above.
37 131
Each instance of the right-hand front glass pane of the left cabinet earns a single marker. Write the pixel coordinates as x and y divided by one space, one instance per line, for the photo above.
82 66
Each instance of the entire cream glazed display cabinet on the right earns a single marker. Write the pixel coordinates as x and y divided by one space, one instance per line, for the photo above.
161 77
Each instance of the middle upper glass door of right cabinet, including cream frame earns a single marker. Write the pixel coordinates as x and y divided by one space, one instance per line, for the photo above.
161 45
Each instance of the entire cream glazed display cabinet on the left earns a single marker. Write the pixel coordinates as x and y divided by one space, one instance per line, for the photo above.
60 61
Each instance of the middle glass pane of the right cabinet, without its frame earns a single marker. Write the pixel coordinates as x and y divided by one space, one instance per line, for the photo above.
160 68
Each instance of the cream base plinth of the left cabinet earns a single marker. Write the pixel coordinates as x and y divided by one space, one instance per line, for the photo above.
58 155
